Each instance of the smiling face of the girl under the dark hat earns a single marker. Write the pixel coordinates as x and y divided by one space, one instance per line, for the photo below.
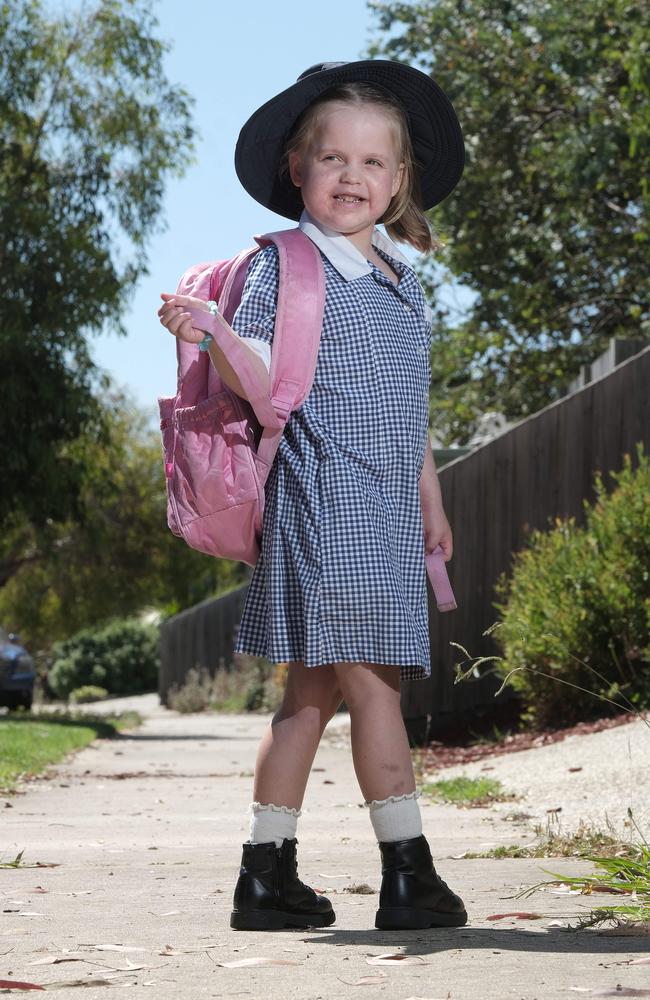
350 170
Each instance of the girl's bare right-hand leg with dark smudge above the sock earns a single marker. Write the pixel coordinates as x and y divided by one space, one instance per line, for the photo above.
380 747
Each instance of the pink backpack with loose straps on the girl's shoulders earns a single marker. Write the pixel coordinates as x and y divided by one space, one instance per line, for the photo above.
218 448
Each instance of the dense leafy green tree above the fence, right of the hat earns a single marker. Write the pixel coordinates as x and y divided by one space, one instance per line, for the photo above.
549 226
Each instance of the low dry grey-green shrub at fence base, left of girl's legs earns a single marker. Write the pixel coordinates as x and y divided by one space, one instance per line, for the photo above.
251 685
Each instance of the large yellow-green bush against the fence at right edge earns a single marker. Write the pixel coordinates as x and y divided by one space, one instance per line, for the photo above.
576 609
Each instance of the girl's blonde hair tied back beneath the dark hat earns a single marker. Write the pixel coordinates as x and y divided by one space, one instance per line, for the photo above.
404 219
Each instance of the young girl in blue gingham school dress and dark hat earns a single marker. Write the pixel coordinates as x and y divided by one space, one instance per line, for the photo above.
353 499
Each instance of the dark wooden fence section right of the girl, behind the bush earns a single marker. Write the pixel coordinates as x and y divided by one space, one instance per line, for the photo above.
540 469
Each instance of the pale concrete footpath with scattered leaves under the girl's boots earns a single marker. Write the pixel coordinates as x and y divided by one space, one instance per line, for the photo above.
137 843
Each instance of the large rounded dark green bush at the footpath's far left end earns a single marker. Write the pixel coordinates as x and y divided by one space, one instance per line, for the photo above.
122 657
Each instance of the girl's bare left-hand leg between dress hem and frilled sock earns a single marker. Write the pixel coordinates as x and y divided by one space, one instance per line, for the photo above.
289 745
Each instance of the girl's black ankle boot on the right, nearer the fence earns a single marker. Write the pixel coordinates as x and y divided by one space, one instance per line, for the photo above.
412 894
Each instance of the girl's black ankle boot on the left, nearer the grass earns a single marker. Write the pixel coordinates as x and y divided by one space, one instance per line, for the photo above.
269 895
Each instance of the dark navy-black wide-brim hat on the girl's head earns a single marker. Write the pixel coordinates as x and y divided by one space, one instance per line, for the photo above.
435 131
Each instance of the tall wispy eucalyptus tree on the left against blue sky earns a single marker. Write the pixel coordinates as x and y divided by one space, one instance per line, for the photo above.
90 130
